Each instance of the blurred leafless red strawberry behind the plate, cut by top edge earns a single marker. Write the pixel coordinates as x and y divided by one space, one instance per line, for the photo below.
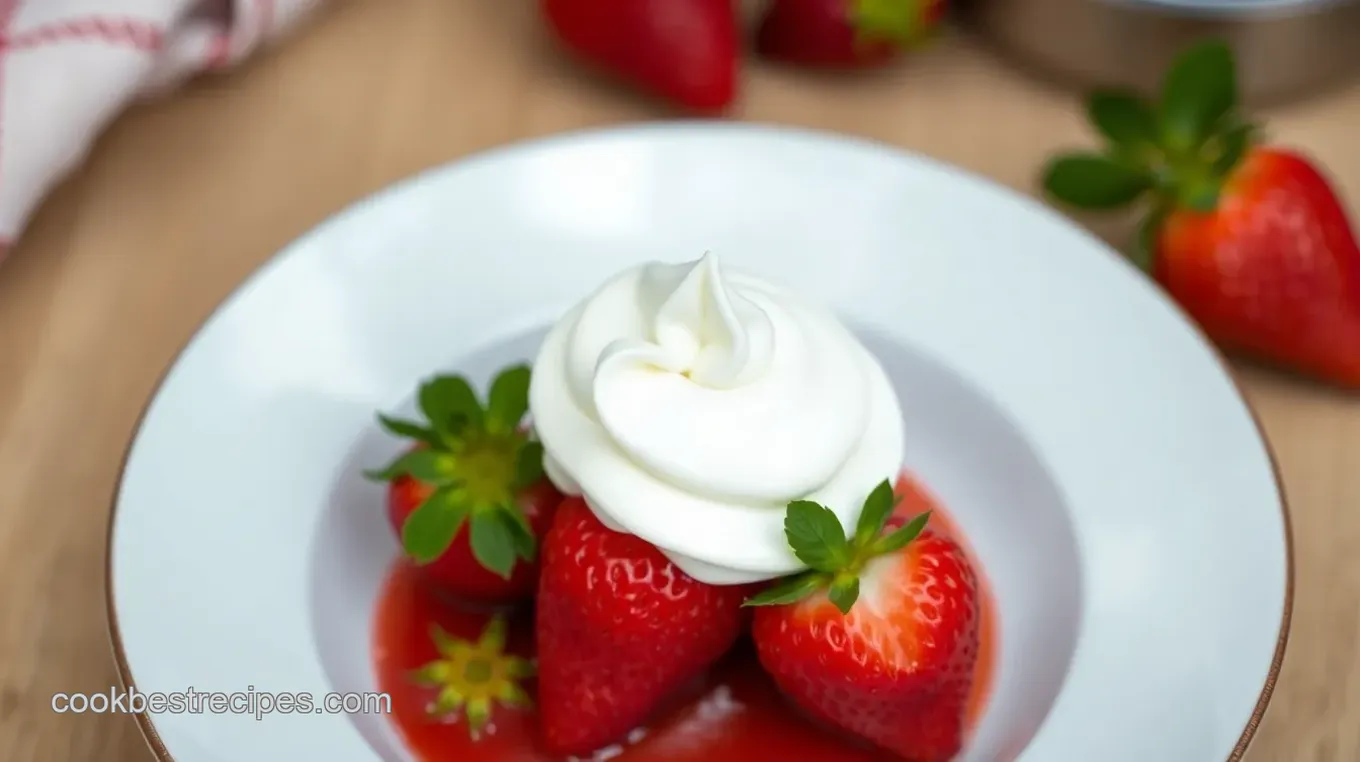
681 50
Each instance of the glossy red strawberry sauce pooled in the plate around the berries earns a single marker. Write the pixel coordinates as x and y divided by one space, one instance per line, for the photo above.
732 715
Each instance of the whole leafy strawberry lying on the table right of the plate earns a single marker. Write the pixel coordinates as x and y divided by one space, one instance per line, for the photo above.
1249 239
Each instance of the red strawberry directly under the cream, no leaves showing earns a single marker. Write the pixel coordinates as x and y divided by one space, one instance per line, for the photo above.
619 631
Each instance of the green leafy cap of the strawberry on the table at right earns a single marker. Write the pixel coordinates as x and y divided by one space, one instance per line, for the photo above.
1174 154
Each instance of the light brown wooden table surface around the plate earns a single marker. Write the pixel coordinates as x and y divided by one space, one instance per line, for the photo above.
183 199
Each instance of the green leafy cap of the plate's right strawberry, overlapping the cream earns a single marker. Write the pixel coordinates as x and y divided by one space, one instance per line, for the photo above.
837 560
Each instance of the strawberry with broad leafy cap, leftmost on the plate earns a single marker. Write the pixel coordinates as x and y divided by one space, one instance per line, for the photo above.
473 469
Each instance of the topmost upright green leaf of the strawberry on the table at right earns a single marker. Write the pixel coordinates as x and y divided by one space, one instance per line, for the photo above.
1200 89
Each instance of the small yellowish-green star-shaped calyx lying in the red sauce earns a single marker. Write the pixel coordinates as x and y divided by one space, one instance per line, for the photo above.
471 678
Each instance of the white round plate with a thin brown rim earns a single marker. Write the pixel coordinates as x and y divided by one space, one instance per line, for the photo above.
1089 442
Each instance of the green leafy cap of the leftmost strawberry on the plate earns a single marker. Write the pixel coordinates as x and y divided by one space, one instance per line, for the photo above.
478 459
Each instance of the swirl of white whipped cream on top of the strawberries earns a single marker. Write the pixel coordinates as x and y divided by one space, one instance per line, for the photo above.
689 405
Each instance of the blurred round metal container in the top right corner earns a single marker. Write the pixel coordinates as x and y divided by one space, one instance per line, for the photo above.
1285 48
